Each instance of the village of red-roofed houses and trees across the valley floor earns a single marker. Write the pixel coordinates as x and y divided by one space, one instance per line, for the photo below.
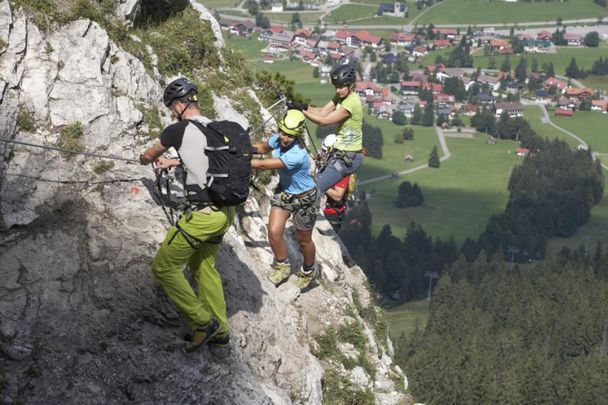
390 89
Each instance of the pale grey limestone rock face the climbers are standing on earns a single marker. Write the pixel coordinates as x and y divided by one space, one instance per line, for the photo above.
81 320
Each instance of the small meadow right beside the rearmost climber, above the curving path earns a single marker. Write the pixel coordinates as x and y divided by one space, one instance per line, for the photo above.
393 153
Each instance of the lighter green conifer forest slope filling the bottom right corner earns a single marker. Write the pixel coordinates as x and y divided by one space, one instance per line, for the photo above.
509 335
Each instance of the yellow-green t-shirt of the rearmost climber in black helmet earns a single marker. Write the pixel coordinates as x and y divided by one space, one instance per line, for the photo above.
349 133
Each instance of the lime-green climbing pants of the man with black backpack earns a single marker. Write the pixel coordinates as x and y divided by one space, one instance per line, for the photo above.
207 226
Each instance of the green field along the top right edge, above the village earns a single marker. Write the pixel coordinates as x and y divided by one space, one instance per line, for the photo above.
488 12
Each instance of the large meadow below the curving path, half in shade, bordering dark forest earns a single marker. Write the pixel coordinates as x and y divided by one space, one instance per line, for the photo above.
459 197
